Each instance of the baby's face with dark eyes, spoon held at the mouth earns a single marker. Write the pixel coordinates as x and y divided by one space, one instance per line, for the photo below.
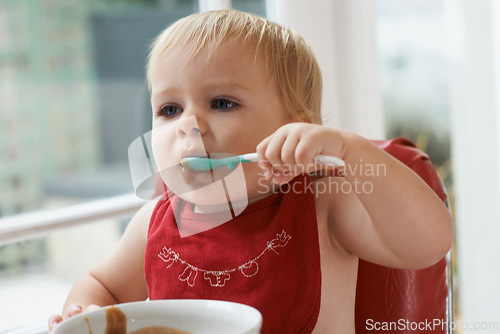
224 105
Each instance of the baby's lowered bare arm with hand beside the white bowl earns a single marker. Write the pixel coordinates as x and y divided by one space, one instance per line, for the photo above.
118 278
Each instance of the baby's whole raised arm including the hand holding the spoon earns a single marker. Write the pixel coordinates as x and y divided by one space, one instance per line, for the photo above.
397 220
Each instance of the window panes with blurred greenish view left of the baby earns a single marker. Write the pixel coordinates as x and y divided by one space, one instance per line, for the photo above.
73 99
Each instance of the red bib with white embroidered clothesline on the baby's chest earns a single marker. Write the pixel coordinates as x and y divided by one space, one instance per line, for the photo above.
266 257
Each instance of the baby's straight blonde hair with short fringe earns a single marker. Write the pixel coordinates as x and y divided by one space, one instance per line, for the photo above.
286 54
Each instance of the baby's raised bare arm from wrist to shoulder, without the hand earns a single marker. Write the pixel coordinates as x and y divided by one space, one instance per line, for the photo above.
401 223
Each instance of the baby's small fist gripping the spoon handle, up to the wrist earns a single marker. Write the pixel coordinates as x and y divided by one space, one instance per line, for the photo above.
291 150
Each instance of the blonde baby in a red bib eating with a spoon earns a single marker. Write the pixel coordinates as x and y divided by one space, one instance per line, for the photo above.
228 81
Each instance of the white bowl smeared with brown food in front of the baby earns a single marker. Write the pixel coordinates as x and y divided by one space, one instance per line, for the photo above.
195 316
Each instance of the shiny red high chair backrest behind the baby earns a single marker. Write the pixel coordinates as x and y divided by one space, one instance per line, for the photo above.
405 301
